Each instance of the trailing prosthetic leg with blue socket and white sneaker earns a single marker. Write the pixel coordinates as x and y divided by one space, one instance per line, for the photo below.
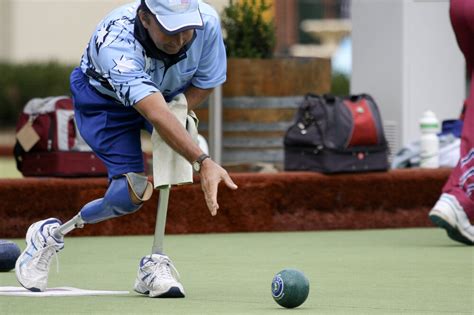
126 194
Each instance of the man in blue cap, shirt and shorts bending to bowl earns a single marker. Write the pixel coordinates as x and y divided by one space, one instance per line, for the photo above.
140 57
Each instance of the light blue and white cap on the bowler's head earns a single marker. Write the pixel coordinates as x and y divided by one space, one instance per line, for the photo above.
176 15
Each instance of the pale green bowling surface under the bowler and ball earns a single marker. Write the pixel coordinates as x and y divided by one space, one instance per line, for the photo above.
398 271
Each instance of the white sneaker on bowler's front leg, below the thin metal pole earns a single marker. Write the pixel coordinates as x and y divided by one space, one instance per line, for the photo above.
157 277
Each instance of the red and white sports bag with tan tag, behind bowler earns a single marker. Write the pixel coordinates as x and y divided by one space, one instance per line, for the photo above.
49 144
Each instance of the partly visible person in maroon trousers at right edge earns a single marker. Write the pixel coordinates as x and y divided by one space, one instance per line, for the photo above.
454 210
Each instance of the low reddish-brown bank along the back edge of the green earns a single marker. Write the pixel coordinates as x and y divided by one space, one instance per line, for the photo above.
285 201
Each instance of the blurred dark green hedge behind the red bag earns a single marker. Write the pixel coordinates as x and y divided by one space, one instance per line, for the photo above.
21 82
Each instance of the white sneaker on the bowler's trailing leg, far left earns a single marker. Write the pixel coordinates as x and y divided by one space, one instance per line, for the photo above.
32 266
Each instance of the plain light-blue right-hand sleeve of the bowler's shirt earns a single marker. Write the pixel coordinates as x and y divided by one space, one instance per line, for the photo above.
212 67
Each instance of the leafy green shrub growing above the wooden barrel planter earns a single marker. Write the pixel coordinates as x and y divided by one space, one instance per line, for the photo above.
247 33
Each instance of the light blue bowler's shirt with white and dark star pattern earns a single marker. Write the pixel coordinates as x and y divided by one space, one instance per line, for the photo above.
117 64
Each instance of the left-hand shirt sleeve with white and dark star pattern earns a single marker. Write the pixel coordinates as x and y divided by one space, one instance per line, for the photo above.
121 62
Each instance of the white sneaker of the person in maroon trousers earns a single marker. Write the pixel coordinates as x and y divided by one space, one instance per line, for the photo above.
449 215
